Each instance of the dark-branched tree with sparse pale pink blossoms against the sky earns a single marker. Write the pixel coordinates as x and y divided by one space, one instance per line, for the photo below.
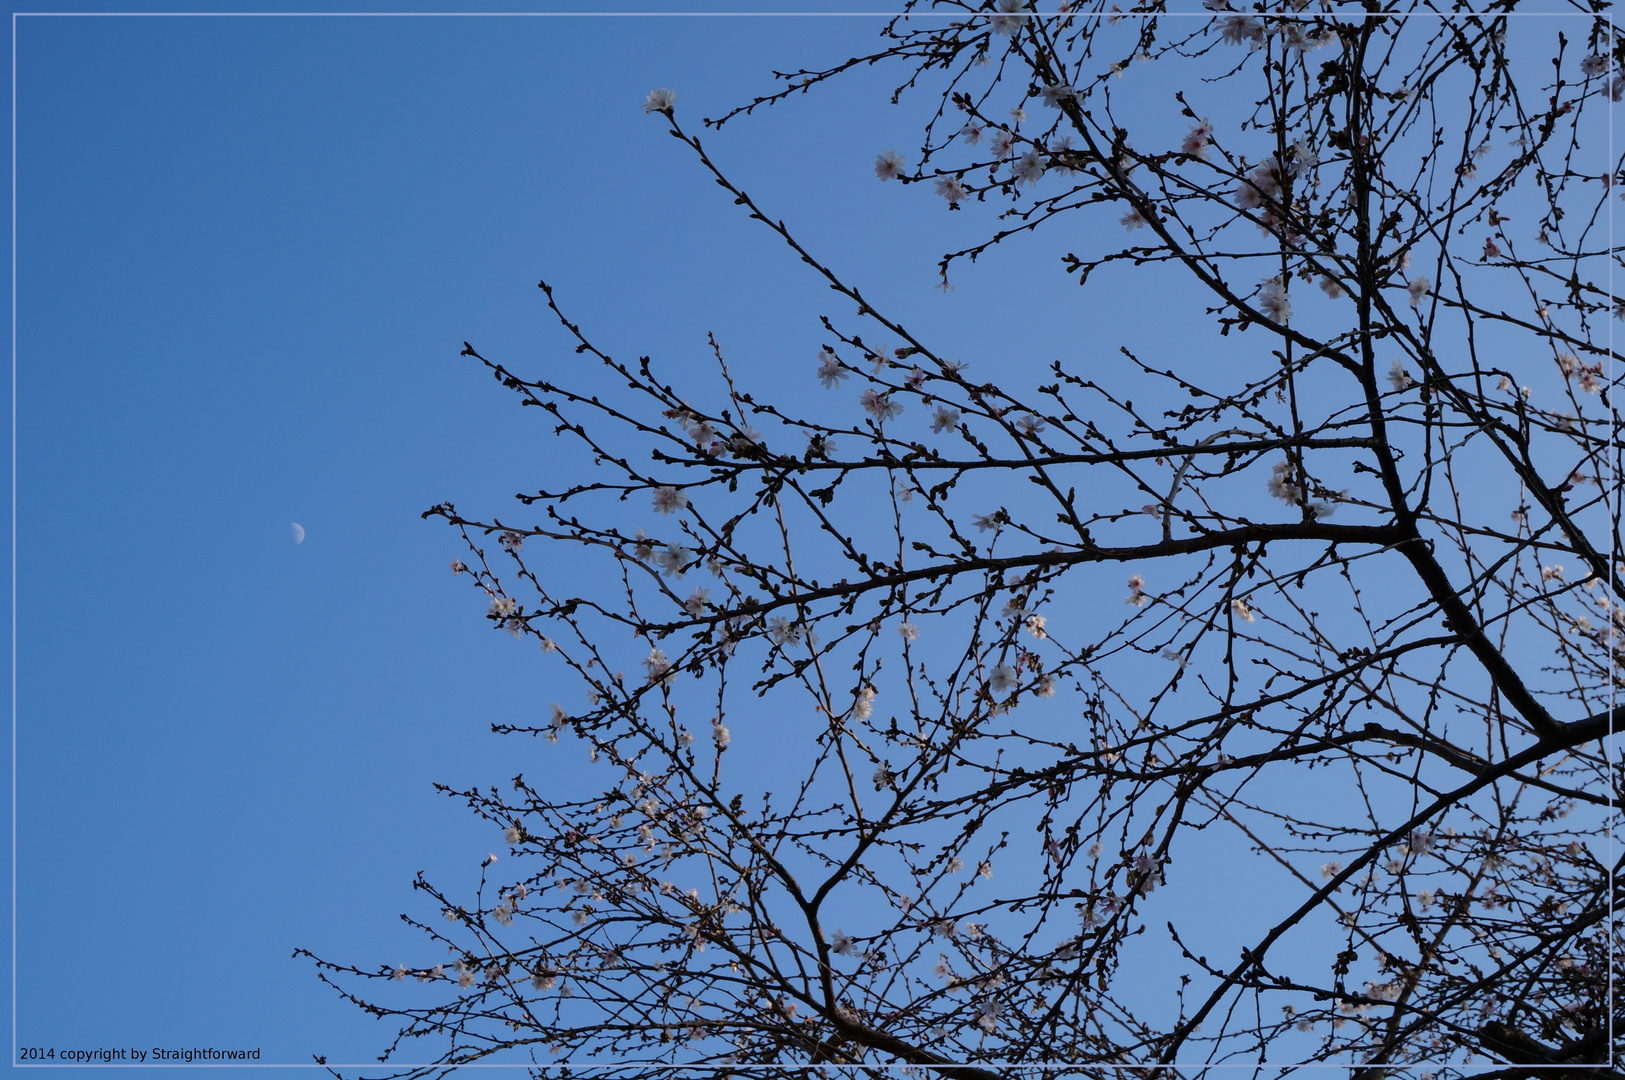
921 732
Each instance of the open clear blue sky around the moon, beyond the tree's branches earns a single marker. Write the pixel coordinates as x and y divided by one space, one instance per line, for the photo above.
248 256
